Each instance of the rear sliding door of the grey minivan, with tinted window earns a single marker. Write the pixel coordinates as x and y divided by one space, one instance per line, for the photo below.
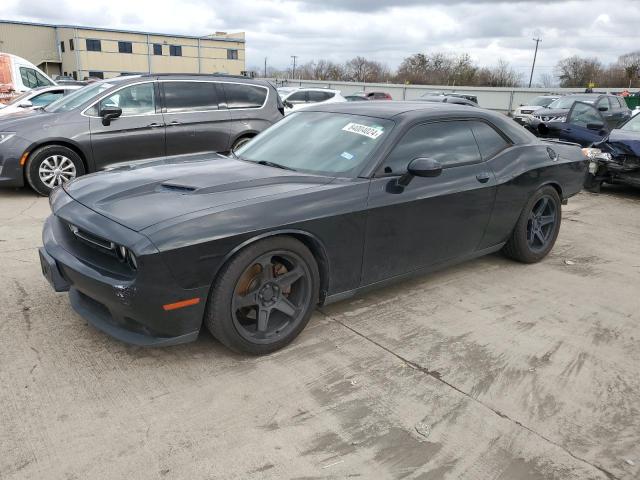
195 121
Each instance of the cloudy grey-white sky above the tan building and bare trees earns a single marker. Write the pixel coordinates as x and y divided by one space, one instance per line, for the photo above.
384 30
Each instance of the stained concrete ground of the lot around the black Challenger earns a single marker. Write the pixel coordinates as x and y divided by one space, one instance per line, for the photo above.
489 370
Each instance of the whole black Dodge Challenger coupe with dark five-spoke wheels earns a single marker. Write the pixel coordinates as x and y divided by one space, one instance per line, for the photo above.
328 202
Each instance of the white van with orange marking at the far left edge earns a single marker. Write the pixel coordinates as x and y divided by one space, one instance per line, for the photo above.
18 75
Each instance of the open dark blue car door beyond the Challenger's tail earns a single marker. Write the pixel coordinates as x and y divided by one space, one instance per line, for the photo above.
584 125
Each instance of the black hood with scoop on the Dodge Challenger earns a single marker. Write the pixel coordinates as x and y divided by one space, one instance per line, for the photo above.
139 196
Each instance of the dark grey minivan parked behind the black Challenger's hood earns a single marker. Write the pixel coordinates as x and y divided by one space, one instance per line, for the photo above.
133 118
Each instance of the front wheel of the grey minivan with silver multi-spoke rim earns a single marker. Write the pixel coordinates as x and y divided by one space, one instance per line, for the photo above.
48 155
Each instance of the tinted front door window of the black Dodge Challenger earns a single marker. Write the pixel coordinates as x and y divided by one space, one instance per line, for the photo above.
450 143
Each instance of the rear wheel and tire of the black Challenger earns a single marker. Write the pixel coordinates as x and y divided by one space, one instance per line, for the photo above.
525 247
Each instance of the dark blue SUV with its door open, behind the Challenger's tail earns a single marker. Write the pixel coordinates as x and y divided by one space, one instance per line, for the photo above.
613 108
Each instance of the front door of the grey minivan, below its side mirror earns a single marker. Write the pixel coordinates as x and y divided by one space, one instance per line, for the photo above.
137 134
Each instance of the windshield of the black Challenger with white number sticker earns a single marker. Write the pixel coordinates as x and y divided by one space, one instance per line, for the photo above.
321 143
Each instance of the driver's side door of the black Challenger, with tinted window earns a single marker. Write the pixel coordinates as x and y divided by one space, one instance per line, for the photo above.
431 220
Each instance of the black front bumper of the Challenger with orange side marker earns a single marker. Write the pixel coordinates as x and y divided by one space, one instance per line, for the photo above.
127 308
